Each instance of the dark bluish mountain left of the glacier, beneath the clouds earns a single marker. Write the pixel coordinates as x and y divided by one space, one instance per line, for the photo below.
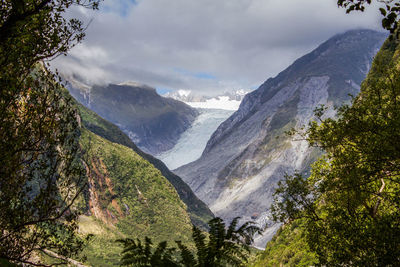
152 122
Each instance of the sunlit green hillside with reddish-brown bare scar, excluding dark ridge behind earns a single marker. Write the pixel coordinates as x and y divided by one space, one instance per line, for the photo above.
127 197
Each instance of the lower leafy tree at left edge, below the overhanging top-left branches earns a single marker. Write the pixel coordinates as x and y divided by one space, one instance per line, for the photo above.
41 174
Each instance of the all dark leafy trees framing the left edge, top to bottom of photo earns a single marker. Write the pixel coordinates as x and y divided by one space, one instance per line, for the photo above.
41 175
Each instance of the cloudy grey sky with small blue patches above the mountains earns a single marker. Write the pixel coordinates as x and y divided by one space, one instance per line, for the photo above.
207 46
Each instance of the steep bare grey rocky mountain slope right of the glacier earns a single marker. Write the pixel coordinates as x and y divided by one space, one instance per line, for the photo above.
249 153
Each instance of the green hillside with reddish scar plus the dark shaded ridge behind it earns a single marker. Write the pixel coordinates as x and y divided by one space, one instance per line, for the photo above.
128 194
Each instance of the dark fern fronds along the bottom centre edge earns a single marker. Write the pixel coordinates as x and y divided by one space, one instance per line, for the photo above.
222 247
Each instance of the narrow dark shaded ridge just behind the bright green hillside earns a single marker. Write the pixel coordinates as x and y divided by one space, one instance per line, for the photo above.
199 213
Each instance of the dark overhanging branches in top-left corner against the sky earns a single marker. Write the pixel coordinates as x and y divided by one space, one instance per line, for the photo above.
30 31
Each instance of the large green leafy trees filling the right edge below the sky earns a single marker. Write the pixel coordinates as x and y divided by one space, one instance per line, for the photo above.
350 203
